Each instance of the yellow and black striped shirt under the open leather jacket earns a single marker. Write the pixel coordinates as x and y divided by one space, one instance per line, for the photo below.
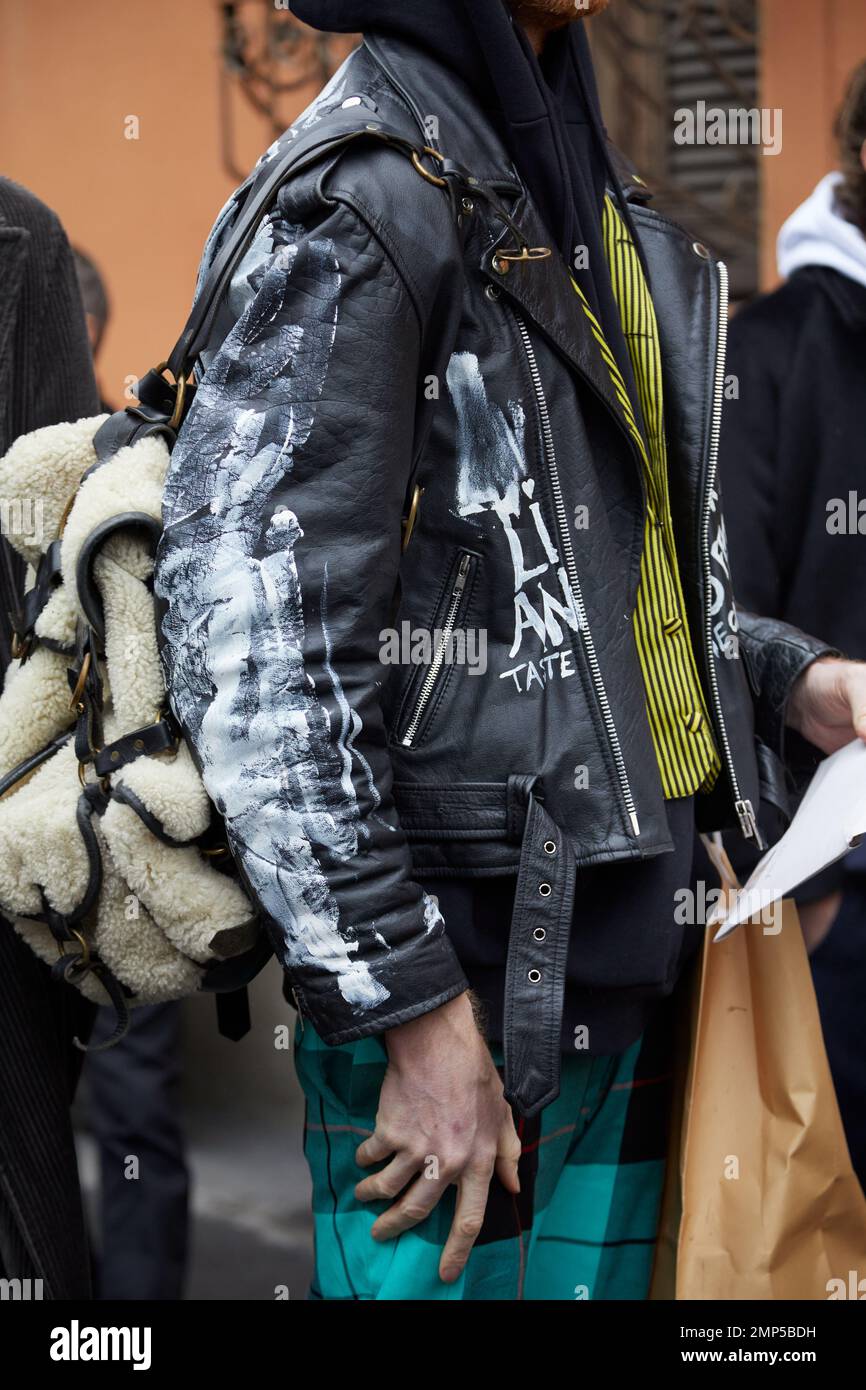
679 723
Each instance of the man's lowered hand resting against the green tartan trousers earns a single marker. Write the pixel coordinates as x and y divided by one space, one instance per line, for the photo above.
441 1115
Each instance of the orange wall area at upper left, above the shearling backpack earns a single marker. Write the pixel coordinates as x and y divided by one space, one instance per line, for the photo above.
70 77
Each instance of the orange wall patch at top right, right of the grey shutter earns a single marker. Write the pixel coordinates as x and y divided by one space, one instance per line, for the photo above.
808 51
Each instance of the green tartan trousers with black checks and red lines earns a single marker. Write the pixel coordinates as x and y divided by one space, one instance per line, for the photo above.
591 1175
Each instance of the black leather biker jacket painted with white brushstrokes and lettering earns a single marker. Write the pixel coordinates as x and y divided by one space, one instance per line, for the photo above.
373 343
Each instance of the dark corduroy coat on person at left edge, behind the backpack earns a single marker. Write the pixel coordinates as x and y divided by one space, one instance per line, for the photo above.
47 376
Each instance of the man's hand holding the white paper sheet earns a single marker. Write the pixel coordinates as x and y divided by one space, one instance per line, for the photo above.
828 704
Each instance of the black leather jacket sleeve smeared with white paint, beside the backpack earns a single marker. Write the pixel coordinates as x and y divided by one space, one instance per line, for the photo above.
279 571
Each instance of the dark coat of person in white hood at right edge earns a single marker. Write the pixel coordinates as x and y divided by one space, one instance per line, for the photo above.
792 445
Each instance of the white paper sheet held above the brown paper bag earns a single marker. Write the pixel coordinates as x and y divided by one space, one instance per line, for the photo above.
831 821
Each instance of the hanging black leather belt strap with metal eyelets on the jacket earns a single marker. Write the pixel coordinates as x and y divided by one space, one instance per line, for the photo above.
536 971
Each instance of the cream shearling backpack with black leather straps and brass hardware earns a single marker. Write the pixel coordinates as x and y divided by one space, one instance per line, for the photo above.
115 865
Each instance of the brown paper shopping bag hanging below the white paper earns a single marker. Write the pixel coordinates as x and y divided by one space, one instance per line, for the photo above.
761 1202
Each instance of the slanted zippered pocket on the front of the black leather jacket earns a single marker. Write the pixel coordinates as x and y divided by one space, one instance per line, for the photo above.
437 651
